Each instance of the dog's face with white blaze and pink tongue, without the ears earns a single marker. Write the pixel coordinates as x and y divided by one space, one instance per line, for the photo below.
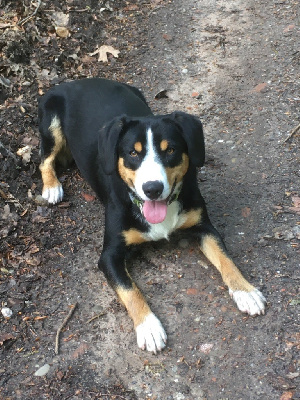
152 161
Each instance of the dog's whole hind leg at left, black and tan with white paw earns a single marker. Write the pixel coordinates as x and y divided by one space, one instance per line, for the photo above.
53 144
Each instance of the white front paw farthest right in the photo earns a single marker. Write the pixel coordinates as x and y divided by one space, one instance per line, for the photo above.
250 302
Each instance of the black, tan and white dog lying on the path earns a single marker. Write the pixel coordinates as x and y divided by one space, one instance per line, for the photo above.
143 168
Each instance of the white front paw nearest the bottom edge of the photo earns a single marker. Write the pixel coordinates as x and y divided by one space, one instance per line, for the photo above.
151 334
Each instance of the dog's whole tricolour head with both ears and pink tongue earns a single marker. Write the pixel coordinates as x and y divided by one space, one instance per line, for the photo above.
152 155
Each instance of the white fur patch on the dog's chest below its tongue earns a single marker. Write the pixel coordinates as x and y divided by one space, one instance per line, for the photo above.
172 221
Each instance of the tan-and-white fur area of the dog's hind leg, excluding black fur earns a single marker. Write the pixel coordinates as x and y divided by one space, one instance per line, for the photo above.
52 189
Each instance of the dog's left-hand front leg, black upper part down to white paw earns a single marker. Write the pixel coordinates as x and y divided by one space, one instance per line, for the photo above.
149 330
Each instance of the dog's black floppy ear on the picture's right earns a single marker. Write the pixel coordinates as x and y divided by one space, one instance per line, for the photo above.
192 132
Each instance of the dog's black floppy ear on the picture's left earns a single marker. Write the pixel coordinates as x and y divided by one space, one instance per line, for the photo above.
107 143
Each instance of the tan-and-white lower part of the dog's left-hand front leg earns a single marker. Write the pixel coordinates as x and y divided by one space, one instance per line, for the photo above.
149 330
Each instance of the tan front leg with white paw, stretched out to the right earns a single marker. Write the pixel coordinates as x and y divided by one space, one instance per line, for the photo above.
246 296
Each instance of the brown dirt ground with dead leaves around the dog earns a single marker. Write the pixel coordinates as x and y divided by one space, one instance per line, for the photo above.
234 64
